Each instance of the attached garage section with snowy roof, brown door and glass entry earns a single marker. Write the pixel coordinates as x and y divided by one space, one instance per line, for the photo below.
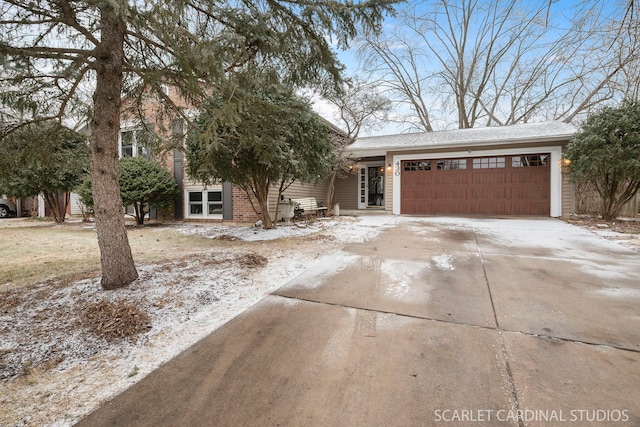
509 170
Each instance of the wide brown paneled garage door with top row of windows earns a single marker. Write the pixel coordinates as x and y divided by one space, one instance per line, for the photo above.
502 185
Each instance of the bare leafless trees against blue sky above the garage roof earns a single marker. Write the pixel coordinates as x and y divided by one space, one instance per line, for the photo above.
469 63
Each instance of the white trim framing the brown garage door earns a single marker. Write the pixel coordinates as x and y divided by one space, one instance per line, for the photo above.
555 164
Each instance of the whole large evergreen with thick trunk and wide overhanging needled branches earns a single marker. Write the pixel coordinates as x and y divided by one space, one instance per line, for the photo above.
51 49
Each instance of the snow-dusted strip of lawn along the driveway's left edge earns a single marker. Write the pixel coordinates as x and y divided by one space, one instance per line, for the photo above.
62 354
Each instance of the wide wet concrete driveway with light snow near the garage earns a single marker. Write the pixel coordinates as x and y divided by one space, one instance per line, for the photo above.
437 321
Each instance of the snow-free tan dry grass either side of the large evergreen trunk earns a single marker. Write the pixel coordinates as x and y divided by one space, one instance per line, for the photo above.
32 252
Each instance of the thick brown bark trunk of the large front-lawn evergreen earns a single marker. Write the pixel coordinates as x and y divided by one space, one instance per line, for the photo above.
118 268
